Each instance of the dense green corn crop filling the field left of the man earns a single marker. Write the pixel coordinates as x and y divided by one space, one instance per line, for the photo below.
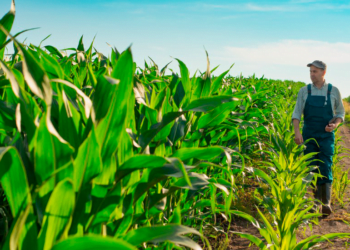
100 153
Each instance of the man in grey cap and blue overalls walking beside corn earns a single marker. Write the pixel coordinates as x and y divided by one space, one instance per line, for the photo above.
323 110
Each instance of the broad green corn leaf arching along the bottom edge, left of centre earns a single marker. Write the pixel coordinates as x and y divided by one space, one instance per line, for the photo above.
93 242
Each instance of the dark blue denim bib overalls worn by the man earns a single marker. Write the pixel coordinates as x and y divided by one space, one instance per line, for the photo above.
317 113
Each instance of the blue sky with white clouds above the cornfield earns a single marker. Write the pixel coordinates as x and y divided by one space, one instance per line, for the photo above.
274 39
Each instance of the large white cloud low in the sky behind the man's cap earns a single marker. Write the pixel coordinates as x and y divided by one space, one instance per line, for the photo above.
292 52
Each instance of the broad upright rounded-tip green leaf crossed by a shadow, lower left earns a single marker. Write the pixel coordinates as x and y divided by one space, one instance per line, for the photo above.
58 213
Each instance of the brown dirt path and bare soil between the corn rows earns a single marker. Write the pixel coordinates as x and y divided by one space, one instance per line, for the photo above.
331 224
